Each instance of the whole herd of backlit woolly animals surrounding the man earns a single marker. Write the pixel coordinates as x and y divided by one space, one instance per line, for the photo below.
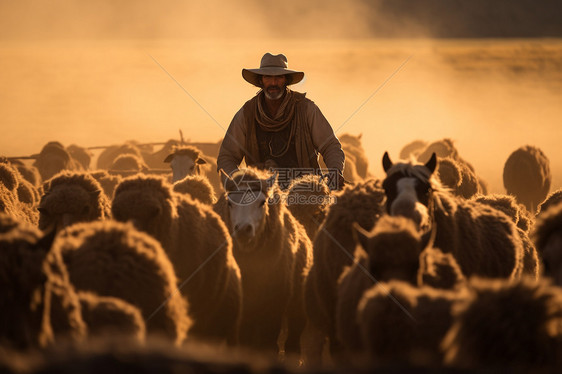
145 261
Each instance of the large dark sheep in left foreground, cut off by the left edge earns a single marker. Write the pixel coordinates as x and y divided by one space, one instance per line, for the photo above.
38 304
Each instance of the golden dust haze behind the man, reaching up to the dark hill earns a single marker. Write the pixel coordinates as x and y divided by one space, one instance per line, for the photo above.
100 73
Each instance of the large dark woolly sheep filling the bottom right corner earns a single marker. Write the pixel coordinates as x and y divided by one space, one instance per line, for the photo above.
512 325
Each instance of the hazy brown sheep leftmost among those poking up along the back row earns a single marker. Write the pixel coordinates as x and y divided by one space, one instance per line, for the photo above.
53 159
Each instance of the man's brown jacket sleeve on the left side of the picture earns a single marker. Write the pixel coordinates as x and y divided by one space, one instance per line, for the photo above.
231 151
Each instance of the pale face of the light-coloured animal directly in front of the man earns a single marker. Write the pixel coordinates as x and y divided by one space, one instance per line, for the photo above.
247 213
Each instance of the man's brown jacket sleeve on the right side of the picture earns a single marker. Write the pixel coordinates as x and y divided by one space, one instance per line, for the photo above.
324 139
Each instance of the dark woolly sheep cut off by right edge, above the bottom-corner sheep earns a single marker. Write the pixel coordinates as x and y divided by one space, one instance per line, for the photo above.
547 237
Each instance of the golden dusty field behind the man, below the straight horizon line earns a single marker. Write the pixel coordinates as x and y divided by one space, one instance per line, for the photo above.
489 96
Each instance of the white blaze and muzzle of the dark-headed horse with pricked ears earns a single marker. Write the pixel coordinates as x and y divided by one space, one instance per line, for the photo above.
406 203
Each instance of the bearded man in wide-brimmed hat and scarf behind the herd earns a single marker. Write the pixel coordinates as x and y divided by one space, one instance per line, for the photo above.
280 128
